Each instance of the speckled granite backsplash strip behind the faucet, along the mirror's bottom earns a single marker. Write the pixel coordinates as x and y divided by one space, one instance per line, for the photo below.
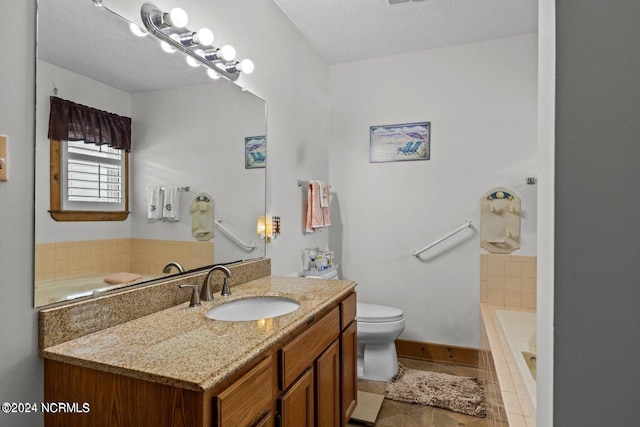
69 321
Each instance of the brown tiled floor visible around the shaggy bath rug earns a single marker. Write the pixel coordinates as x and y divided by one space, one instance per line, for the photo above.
398 414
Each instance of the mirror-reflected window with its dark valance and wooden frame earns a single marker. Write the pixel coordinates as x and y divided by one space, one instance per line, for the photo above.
88 181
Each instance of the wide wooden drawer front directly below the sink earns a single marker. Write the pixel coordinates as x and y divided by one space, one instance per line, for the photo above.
300 353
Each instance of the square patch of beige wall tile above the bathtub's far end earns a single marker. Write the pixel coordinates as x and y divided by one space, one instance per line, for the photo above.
508 280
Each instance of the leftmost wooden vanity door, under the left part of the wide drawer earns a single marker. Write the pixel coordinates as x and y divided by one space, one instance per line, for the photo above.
296 405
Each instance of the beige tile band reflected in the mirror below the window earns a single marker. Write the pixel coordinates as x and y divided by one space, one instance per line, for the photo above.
142 256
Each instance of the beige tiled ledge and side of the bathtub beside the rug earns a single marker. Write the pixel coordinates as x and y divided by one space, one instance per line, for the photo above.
497 366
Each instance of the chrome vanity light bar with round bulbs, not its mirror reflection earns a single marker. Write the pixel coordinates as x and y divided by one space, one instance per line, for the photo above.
160 25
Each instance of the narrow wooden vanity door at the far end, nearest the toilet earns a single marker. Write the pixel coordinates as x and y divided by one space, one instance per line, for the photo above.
348 368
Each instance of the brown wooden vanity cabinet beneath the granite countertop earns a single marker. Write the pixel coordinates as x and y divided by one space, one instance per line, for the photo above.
307 379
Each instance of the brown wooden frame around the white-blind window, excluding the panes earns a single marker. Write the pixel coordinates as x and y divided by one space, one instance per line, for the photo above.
55 192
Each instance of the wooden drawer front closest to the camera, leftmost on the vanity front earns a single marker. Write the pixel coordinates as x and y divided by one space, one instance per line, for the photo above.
248 397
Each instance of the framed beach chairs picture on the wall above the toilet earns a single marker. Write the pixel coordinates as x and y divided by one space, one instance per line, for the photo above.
395 143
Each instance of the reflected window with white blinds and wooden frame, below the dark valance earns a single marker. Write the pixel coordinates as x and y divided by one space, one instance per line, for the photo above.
88 182
